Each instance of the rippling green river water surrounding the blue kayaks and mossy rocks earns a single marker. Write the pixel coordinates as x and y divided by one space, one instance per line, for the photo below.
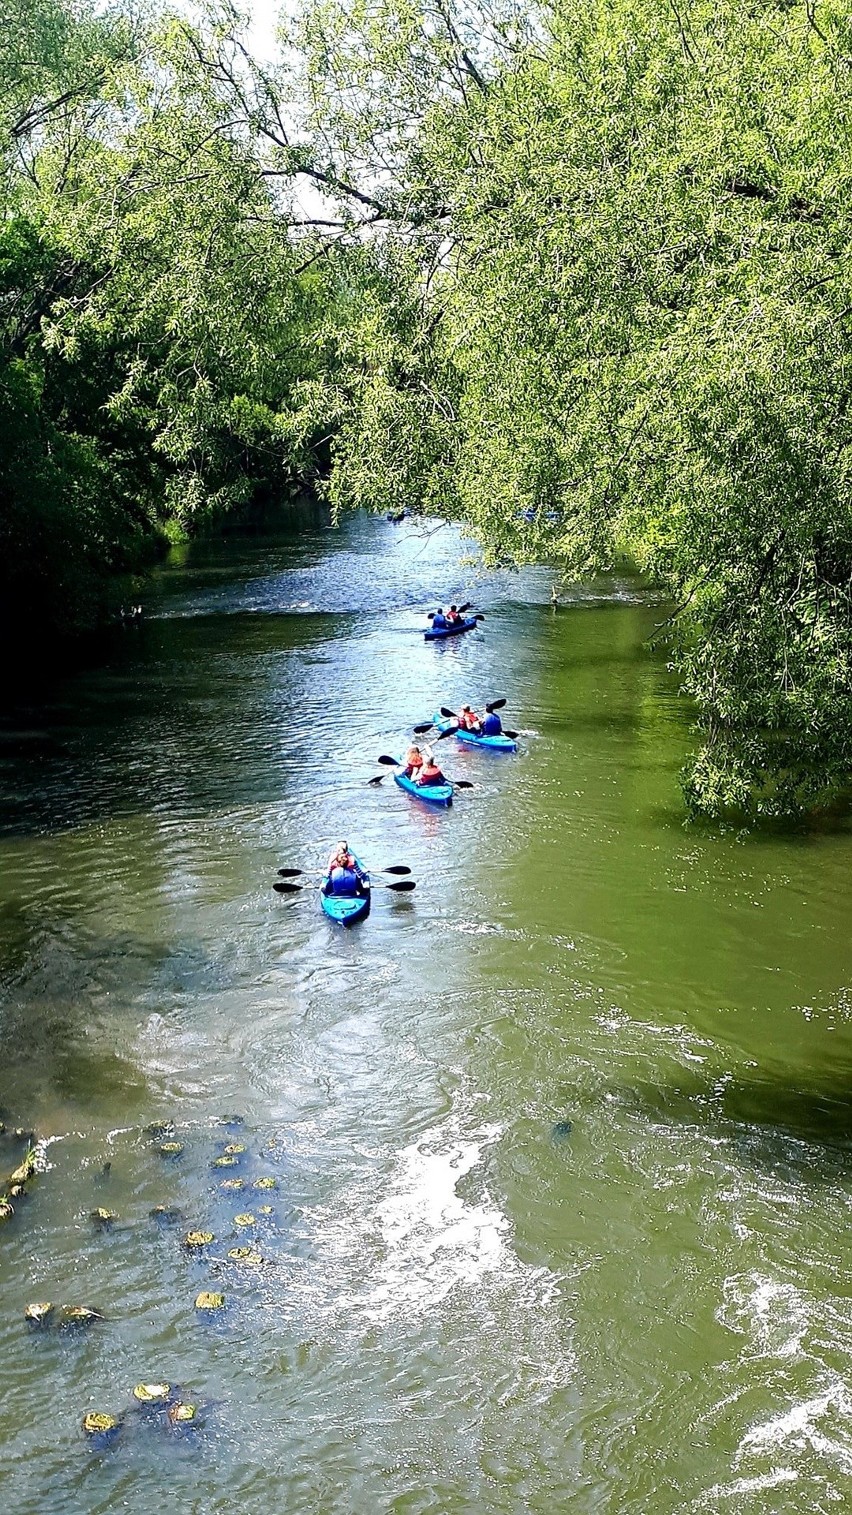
562 1142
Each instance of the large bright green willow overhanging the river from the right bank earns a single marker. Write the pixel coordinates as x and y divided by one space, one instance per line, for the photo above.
612 292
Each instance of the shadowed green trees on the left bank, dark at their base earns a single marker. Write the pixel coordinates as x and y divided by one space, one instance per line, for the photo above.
155 314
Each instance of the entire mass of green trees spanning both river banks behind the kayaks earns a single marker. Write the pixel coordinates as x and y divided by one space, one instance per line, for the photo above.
578 278
